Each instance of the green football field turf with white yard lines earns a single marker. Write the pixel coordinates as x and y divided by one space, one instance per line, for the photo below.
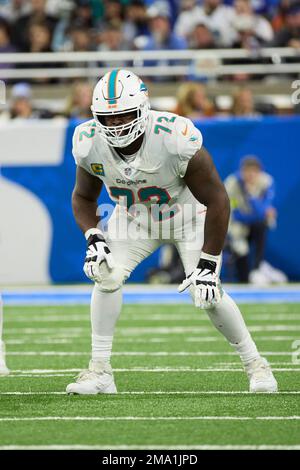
180 384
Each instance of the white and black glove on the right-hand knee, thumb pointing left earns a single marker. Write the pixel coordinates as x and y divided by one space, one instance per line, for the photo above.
204 282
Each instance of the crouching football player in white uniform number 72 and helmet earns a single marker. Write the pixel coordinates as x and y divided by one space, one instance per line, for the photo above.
156 162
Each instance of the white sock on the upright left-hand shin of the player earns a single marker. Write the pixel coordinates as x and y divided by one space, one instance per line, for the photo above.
105 311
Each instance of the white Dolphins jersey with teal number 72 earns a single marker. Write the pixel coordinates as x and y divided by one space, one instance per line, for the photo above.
155 174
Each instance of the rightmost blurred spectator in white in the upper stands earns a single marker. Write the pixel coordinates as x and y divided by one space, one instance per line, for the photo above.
252 30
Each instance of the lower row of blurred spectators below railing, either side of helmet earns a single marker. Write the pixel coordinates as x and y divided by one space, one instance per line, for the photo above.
191 100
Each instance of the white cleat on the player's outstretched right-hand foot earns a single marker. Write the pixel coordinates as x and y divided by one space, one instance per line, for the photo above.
260 376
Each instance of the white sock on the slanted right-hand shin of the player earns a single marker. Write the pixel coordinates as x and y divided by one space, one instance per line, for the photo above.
228 319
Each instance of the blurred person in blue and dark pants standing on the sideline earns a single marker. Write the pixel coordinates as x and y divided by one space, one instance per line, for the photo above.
251 193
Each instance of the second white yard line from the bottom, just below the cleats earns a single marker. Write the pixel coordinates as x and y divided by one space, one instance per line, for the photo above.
151 418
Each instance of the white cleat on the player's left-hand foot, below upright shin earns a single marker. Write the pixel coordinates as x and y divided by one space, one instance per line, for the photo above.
98 378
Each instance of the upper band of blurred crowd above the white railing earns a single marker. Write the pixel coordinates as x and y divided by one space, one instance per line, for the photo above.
110 25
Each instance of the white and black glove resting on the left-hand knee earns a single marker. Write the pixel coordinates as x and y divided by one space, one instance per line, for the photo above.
97 253
